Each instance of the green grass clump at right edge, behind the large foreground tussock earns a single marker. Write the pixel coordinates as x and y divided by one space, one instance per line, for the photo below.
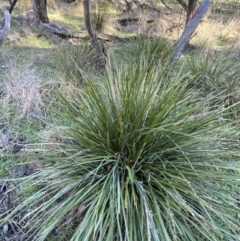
216 76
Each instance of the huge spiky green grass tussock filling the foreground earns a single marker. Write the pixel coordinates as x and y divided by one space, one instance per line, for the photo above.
137 158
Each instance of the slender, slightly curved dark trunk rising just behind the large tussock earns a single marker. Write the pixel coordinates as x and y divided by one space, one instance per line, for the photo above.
101 53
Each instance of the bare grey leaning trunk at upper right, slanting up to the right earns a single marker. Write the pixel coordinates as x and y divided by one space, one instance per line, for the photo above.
190 28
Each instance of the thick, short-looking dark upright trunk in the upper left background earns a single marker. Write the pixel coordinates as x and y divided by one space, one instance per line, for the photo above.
40 11
